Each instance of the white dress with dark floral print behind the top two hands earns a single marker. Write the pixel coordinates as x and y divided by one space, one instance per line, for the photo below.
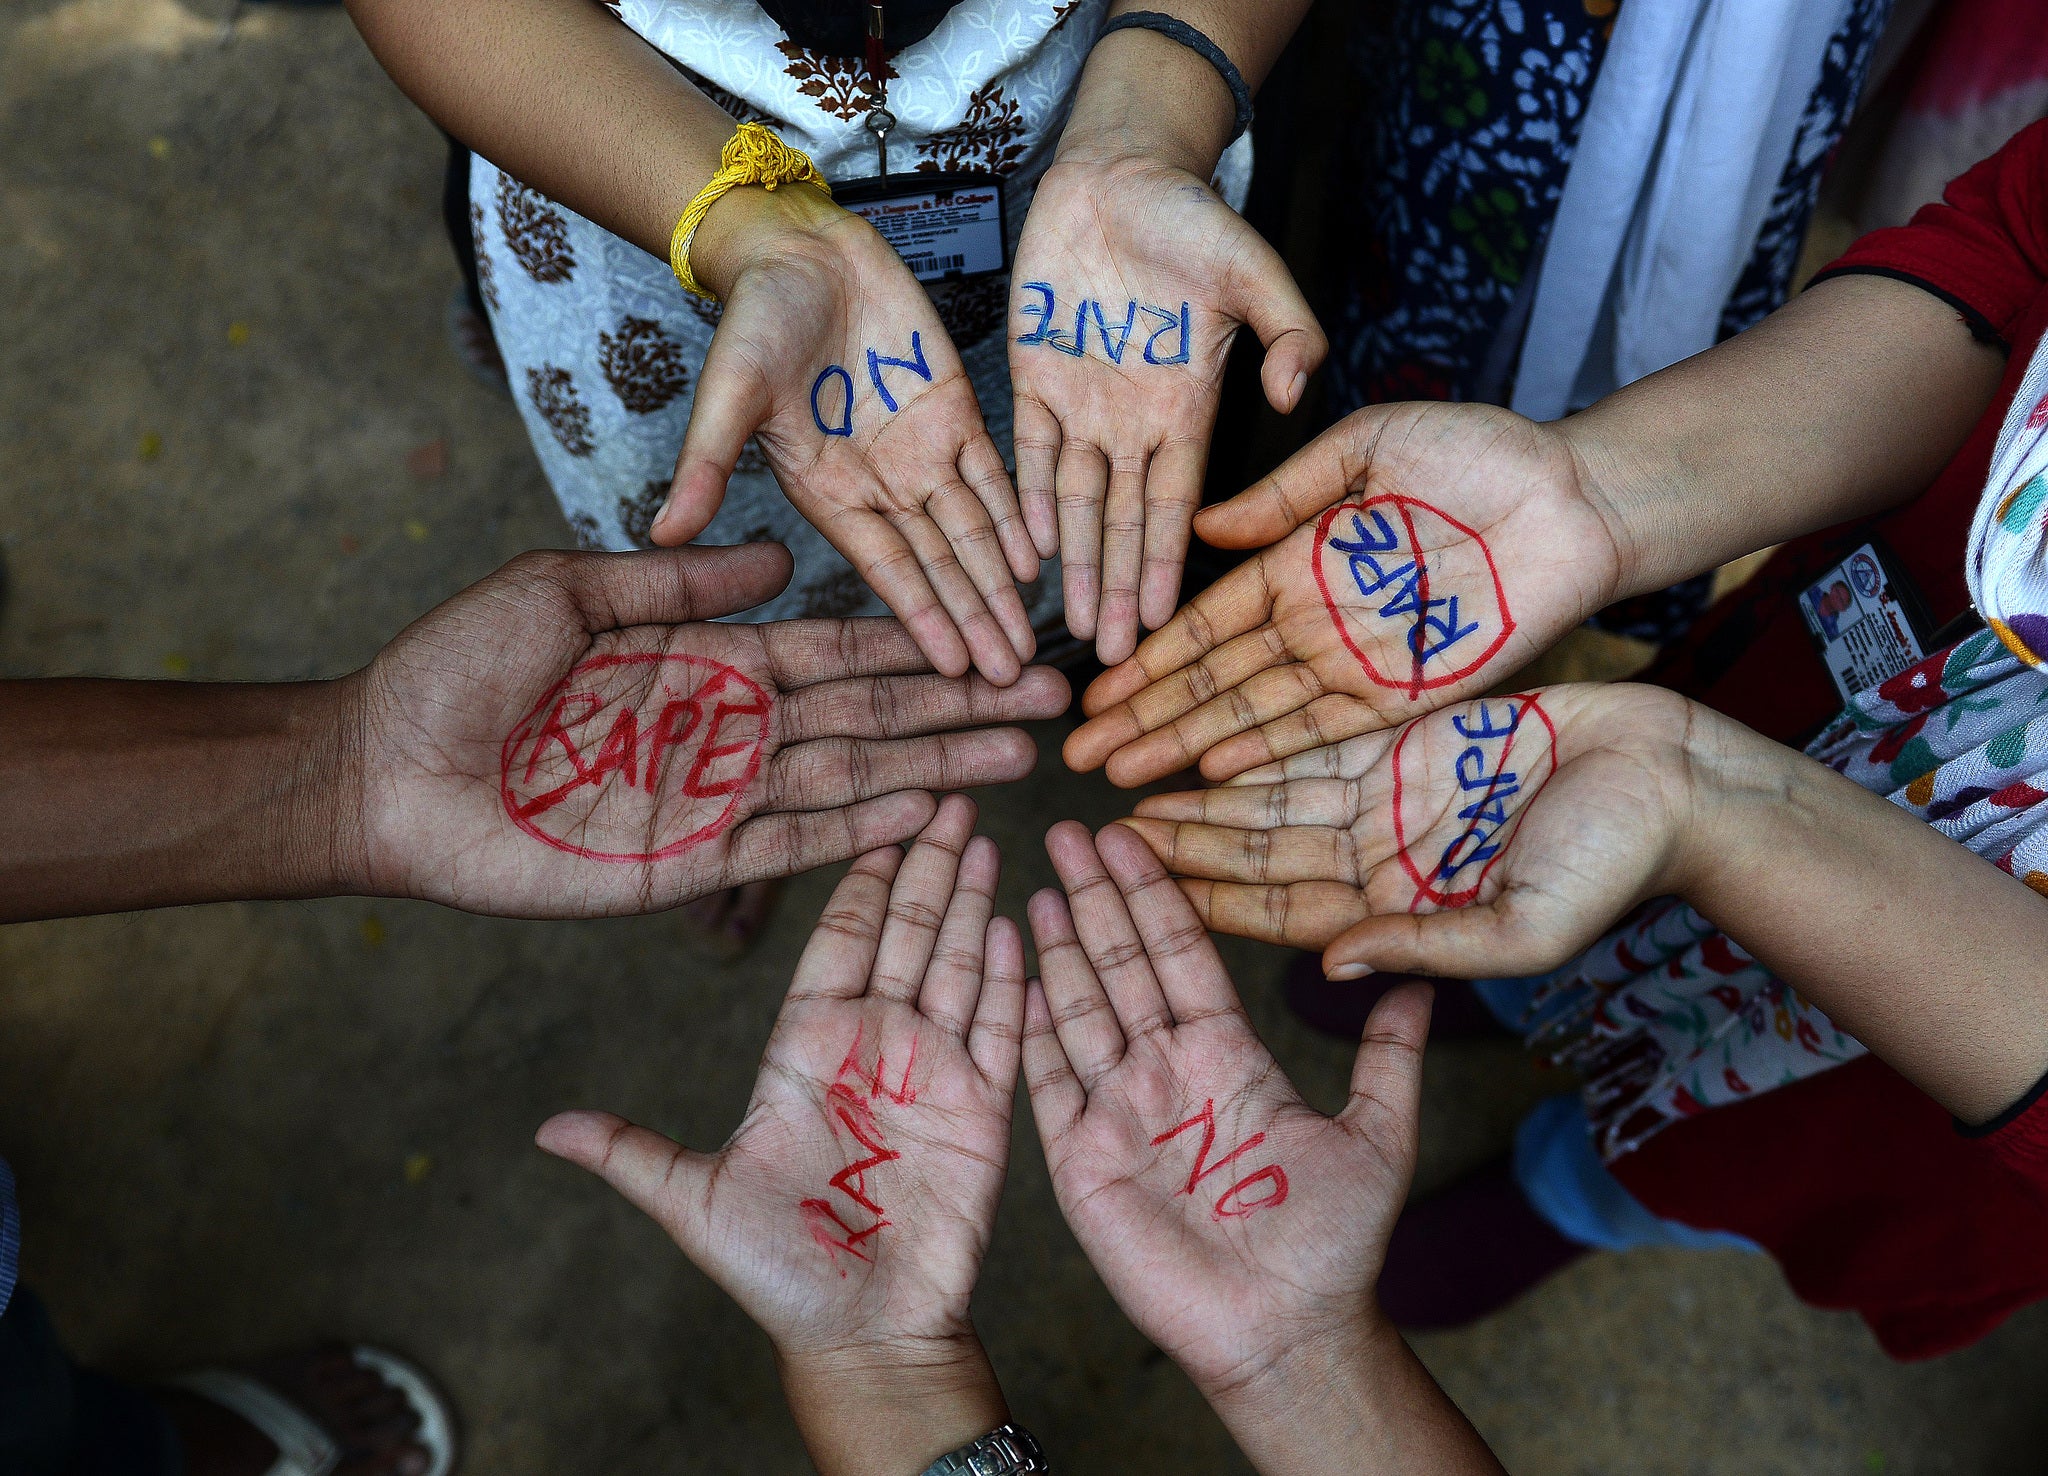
605 349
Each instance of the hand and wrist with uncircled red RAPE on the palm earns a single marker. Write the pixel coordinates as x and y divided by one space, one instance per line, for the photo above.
851 1211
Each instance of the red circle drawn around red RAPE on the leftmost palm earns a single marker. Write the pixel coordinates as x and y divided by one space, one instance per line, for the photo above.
708 705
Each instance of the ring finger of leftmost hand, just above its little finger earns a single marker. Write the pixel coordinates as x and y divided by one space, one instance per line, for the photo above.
828 773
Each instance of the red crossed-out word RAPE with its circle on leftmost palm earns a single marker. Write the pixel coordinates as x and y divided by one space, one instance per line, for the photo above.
654 750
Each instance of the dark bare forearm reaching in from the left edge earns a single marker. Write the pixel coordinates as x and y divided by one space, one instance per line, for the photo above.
120 795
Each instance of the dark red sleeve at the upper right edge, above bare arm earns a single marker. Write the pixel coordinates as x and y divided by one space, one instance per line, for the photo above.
1983 249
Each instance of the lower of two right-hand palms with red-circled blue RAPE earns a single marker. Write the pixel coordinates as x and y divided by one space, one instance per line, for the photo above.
1494 838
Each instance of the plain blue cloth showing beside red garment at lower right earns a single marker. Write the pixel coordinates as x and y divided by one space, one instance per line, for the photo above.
1560 1172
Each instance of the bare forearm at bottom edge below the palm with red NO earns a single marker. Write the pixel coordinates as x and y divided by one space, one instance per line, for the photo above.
1353 1407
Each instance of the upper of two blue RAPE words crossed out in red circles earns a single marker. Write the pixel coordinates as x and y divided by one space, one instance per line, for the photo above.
1414 593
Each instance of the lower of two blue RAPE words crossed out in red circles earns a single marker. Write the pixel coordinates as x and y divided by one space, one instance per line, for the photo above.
1494 773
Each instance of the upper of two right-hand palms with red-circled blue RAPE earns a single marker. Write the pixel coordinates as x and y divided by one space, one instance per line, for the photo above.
1467 544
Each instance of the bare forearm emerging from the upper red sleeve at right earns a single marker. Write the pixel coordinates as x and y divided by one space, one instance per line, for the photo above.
1842 404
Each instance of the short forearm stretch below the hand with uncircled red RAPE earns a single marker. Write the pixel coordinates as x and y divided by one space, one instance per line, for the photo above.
892 1412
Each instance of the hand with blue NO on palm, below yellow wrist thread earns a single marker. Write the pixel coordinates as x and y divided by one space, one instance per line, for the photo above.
835 359
